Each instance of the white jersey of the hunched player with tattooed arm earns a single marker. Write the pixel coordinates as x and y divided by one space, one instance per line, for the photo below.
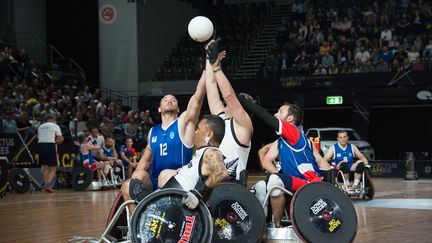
188 175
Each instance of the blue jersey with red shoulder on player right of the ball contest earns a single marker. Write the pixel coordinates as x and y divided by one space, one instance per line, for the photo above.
297 158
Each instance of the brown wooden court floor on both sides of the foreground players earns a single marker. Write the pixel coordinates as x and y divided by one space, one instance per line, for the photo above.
400 212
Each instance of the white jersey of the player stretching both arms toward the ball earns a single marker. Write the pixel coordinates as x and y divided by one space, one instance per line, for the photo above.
236 154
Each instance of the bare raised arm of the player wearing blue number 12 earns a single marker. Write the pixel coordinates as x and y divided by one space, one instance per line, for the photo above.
189 118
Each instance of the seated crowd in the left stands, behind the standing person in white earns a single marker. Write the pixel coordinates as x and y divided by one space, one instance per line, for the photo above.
27 93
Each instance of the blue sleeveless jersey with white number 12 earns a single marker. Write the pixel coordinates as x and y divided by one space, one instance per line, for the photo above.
168 150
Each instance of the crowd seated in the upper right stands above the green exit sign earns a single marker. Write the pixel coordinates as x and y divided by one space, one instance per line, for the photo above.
343 37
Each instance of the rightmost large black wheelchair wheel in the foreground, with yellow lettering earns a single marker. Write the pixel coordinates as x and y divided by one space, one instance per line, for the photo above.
320 212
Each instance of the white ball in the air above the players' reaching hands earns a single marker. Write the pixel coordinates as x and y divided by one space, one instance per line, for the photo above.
200 28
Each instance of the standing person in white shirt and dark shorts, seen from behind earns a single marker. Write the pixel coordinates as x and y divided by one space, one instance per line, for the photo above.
49 135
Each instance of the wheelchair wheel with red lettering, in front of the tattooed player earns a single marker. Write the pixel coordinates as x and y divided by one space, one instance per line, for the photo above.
161 217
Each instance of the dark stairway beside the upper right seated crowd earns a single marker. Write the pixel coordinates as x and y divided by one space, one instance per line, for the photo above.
263 44
